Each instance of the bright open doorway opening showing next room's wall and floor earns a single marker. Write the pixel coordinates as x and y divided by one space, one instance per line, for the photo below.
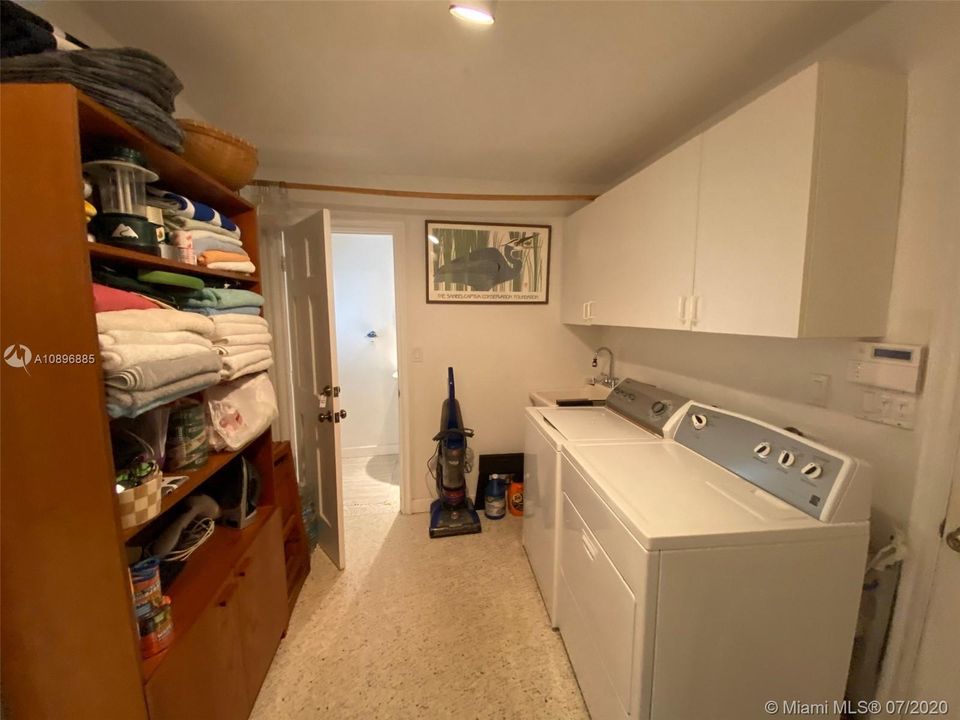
366 331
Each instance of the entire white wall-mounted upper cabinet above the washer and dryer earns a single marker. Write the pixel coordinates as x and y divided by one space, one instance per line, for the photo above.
780 220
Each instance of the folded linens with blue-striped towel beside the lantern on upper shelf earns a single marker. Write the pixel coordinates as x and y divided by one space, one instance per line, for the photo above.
215 238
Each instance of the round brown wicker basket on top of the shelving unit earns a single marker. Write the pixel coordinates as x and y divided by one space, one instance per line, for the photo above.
228 158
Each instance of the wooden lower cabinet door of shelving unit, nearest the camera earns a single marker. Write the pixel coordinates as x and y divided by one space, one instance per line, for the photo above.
201 677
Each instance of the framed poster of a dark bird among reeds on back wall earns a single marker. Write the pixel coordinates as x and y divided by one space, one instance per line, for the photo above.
495 263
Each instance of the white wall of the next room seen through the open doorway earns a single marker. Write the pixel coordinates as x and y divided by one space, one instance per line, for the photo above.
364 301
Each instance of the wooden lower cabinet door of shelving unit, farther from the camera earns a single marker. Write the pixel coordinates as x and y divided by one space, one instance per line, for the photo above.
262 603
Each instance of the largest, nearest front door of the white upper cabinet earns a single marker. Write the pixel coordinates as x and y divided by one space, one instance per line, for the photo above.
755 185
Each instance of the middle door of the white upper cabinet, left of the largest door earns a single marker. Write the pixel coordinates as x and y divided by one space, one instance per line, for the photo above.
648 238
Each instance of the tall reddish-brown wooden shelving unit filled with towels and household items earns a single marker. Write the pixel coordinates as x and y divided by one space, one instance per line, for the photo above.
70 638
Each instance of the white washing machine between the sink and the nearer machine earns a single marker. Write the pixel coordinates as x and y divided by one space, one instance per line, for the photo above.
634 412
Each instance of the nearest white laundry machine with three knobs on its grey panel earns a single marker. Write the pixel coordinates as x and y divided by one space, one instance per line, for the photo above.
709 576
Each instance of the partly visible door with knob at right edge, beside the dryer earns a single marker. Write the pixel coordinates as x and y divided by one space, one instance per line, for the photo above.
937 673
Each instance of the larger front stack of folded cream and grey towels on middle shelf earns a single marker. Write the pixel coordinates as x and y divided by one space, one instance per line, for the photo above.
153 357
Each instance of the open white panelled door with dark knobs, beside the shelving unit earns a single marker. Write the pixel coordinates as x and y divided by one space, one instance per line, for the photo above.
315 378
